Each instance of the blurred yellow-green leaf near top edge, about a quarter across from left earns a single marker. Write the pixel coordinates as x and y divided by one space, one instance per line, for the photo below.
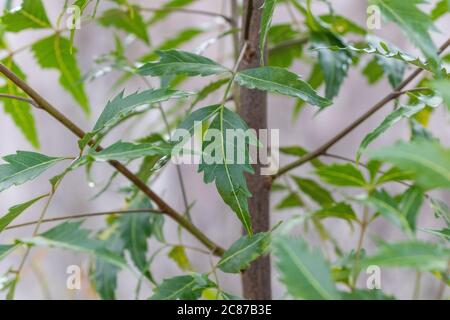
127 19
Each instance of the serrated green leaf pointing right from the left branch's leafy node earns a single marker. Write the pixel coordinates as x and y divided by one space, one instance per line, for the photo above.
121 106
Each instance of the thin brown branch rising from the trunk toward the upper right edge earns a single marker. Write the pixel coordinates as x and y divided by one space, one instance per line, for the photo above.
327 145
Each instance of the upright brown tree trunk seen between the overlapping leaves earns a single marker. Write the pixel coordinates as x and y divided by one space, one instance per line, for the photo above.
256 280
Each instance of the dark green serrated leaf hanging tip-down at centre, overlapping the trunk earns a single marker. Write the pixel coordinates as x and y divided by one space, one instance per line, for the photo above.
225 161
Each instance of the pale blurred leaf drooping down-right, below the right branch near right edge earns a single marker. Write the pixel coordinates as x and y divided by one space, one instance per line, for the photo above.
388 207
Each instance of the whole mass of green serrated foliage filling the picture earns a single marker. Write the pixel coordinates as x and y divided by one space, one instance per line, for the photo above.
389 184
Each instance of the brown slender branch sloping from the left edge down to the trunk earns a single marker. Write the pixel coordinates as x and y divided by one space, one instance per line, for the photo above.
162 205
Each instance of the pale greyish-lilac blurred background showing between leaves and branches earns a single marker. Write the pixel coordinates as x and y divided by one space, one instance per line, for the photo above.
44 276
